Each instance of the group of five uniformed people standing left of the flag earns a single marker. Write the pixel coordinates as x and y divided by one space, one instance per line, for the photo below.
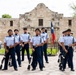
15 42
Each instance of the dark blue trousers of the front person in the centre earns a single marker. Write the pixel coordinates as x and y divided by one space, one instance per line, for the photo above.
37 58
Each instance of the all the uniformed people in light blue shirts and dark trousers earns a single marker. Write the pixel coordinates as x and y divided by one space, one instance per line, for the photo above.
15 42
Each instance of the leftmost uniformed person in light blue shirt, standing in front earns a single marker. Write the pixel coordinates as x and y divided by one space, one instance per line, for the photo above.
9 44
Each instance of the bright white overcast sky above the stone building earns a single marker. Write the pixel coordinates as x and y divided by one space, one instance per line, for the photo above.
16 7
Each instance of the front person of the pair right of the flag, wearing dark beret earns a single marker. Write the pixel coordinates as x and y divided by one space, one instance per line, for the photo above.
67 45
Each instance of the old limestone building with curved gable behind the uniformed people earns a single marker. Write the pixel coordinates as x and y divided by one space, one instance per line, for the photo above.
40 16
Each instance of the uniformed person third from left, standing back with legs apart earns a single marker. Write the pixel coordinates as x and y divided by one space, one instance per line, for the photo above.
25 45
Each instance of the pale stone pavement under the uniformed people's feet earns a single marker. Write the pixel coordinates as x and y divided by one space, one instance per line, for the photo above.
51 68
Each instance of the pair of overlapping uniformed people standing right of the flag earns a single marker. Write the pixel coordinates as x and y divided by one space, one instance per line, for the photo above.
66 44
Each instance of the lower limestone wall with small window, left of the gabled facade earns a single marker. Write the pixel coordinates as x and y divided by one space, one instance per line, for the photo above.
5 25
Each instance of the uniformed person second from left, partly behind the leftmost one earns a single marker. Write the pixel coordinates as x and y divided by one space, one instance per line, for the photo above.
18 41
